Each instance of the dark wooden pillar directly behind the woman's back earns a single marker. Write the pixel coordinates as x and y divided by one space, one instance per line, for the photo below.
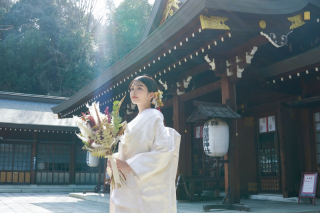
179 126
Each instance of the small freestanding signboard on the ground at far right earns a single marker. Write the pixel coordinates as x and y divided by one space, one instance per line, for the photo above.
308 185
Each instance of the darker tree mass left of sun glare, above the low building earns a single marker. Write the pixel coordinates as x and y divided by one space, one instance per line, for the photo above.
49 50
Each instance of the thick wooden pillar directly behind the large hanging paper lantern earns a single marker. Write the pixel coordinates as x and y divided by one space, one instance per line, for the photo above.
228 93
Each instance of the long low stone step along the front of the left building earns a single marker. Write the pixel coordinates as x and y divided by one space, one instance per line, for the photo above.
44 188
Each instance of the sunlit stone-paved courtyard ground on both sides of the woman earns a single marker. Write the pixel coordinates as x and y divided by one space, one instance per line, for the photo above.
62 202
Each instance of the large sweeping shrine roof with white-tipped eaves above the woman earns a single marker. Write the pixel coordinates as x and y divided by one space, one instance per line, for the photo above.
182 25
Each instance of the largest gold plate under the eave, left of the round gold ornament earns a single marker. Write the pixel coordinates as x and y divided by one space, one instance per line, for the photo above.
214 22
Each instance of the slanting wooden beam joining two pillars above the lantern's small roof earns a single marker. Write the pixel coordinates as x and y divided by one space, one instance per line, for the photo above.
201 91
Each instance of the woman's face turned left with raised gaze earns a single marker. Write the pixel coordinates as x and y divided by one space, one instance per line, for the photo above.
139 93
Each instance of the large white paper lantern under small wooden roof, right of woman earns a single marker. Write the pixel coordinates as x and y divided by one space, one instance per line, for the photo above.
216 137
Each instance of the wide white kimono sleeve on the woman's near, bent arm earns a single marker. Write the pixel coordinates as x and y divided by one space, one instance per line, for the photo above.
148 163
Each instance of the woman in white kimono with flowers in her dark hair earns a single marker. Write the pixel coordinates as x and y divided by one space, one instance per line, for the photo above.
147 156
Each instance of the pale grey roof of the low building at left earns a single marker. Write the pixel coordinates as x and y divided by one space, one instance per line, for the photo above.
18 110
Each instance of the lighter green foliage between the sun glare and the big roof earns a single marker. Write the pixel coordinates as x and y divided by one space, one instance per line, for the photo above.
124 28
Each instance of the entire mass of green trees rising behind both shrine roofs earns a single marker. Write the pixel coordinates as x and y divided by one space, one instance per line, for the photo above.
57 46
